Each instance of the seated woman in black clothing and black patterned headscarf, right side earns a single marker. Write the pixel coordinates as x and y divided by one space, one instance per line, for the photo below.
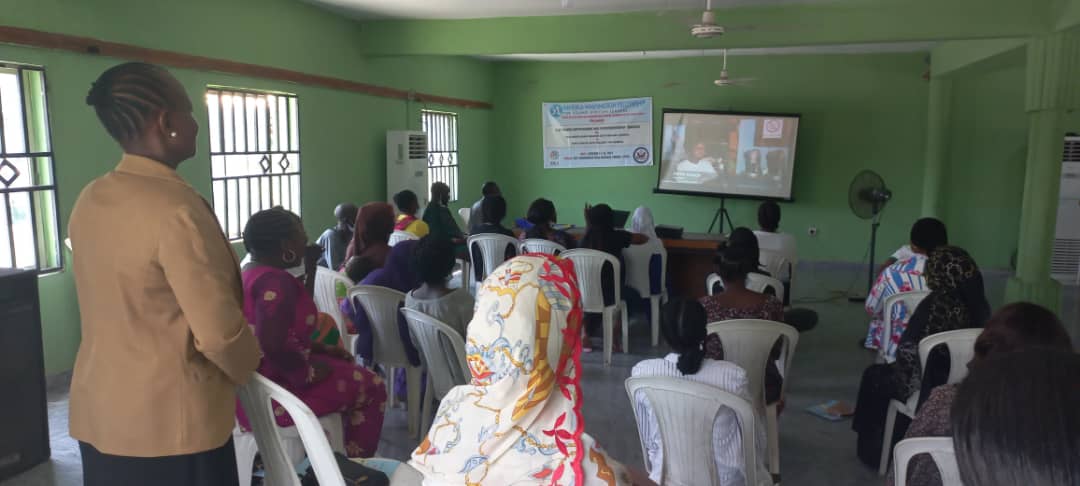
956 302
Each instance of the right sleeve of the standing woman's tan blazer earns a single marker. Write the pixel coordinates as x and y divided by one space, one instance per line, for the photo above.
204 275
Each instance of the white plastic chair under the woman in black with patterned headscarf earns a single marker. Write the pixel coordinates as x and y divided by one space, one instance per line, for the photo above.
962 348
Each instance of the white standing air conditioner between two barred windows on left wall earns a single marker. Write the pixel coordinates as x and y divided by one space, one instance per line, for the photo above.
408 165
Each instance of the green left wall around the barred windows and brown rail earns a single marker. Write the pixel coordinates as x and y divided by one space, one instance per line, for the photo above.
343 134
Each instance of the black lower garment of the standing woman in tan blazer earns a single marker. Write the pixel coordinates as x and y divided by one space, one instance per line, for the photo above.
212 468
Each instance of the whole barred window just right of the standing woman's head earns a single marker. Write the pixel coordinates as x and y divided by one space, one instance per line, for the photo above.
255 155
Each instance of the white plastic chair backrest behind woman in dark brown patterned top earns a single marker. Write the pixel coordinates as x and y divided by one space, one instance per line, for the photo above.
748 344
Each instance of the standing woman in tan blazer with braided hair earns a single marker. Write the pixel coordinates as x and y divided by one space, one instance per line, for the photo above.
165 342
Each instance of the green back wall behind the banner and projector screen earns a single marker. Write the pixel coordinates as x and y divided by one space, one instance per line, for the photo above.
859 112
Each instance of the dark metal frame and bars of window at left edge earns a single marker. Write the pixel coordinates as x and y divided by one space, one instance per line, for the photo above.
50 191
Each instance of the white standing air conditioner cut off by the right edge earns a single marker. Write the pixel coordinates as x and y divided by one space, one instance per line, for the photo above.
1065 263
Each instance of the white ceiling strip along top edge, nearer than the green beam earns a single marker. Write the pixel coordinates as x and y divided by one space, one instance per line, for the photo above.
488 9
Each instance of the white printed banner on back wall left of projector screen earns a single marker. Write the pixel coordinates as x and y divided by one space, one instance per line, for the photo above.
614 133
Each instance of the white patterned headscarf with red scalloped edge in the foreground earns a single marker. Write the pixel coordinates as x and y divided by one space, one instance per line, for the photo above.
519 423
